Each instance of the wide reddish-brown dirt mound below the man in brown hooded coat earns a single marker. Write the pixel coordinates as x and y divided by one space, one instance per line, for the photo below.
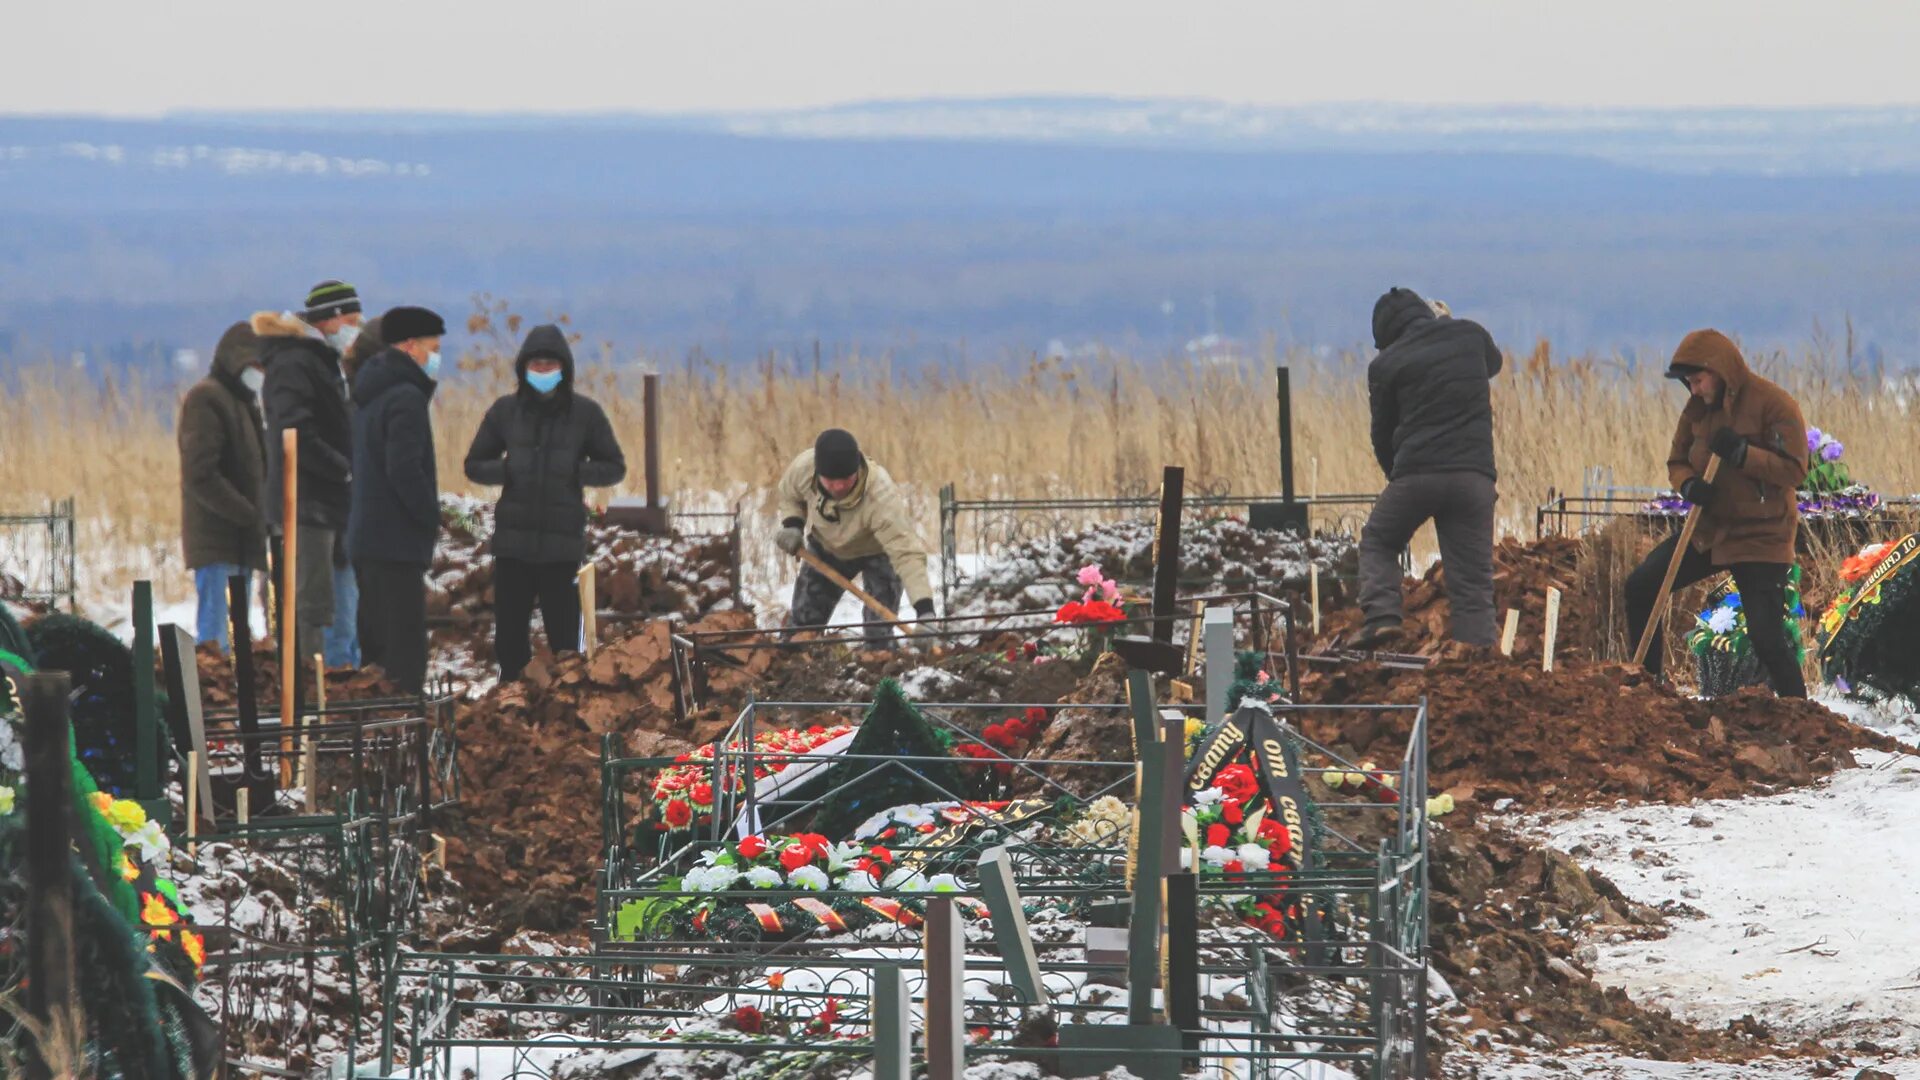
1587 733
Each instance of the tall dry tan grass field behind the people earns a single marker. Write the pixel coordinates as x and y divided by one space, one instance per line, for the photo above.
1045 428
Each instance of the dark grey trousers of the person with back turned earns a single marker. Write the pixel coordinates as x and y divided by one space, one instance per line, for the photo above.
1462 510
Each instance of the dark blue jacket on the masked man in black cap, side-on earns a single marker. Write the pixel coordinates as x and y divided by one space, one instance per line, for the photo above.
396 489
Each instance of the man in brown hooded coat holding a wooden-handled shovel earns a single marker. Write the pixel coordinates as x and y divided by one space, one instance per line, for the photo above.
1752 510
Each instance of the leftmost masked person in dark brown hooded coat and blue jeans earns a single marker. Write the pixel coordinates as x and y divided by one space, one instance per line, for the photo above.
224 466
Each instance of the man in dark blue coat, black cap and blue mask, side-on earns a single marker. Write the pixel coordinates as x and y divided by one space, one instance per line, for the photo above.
396 499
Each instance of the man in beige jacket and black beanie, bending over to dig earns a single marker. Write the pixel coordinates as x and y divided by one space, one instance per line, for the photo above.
859 528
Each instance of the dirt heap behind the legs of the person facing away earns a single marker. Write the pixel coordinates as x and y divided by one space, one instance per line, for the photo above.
1524 572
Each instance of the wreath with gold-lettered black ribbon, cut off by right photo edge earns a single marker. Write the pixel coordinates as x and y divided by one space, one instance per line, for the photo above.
1867 637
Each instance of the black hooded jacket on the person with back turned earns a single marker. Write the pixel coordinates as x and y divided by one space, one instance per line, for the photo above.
1431 395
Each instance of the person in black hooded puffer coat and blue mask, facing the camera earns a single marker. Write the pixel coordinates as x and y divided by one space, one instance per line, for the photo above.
542 445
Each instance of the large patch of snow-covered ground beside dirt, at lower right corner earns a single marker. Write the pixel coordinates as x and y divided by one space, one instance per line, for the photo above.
1796 910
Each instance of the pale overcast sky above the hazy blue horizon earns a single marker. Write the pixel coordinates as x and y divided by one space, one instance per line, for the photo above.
145 57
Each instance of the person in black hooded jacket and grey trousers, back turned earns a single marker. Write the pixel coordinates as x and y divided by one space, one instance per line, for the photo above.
1433 435
